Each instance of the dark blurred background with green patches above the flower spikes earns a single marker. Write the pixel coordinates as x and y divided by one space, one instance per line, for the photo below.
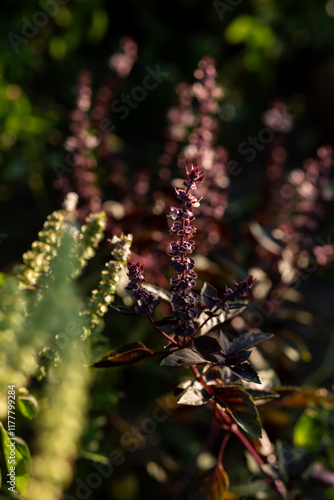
264 50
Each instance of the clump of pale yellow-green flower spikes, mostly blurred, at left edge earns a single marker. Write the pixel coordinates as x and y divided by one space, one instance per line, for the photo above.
43 335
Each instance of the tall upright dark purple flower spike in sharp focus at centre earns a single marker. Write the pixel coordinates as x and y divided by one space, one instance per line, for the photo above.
183 298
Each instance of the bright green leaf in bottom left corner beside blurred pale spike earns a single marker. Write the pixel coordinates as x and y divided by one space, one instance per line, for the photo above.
16 454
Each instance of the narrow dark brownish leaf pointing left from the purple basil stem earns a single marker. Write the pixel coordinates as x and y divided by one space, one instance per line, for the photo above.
129 353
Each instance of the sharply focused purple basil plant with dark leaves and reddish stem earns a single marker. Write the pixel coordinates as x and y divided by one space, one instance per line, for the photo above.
221 375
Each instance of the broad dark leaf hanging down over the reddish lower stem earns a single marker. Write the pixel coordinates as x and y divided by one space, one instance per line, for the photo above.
241 407
